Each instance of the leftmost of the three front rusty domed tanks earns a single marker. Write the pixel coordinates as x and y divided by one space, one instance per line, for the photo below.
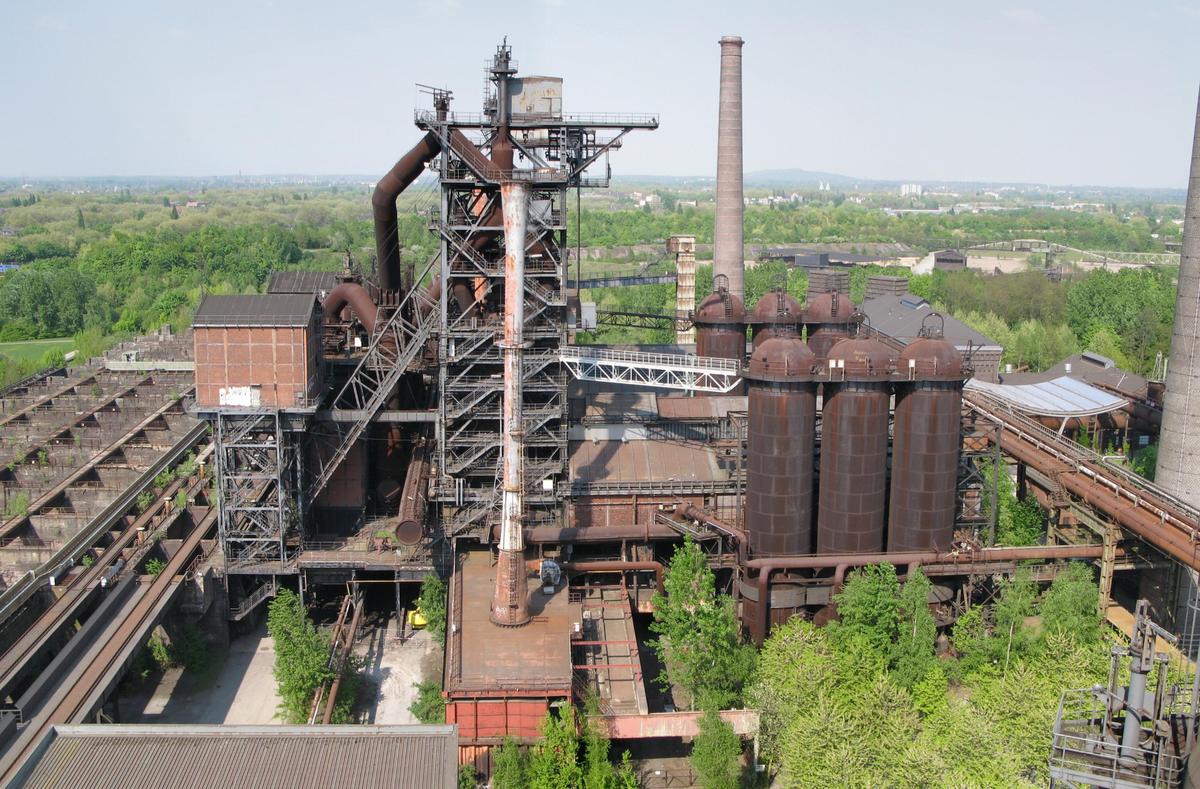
782 413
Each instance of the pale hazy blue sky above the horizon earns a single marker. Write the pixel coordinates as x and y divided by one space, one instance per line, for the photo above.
1059 93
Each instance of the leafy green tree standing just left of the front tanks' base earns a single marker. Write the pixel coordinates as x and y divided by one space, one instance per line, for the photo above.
699 635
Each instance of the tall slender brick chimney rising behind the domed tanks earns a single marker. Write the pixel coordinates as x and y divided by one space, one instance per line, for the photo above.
728 245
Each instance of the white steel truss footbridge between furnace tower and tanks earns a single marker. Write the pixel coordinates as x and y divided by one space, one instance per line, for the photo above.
663 371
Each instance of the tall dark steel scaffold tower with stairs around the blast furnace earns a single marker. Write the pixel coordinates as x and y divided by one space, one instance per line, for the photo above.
560 150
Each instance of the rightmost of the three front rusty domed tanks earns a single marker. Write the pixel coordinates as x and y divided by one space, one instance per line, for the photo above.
926 444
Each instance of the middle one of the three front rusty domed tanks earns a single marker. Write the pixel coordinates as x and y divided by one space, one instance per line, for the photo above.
857 392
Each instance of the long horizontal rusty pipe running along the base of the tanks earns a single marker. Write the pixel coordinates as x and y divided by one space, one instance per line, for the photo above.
843 563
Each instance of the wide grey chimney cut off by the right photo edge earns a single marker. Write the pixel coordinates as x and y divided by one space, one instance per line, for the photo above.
1179 453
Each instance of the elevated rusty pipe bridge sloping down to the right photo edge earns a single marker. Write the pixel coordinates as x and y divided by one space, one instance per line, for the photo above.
1161 520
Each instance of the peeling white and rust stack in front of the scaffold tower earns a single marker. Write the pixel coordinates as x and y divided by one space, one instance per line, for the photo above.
511 601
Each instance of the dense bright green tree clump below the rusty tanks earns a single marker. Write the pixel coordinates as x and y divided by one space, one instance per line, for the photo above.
869 702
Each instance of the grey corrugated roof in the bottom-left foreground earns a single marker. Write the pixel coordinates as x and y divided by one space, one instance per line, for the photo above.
248 757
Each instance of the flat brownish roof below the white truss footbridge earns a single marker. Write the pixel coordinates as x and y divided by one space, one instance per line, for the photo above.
644 462
